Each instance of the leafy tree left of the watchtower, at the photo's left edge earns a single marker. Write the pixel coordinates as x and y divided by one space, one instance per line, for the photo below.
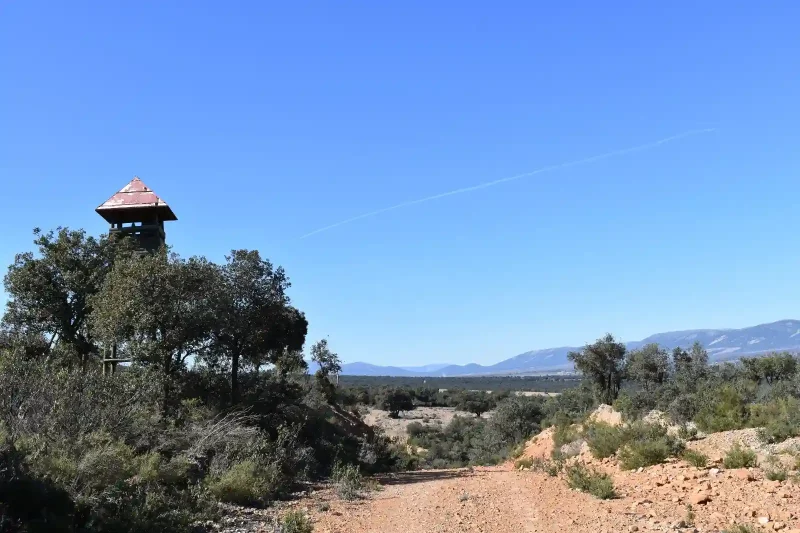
50 292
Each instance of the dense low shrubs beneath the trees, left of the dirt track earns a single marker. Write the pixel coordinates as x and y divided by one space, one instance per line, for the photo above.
95 453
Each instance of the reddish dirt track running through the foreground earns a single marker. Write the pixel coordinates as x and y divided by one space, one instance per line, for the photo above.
487 501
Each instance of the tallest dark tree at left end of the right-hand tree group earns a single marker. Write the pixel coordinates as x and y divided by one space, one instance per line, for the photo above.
602 363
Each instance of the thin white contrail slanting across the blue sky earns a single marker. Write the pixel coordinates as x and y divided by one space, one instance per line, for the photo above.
559 166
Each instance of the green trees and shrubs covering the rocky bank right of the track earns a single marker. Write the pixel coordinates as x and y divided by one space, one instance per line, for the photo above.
687 391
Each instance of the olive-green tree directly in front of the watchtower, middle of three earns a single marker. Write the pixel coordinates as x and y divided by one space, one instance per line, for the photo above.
158 308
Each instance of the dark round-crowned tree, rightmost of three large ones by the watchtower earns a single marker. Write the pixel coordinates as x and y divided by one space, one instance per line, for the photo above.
253 320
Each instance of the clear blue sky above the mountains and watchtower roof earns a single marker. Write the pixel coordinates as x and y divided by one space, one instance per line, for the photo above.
260 122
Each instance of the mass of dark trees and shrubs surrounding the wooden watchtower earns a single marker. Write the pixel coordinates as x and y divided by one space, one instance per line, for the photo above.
216 405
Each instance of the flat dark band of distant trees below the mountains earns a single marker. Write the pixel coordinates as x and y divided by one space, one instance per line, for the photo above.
555 383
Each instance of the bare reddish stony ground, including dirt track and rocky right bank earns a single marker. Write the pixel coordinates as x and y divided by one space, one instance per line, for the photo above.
671 497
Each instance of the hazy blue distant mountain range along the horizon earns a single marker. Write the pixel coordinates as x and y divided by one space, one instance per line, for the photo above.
722 345
